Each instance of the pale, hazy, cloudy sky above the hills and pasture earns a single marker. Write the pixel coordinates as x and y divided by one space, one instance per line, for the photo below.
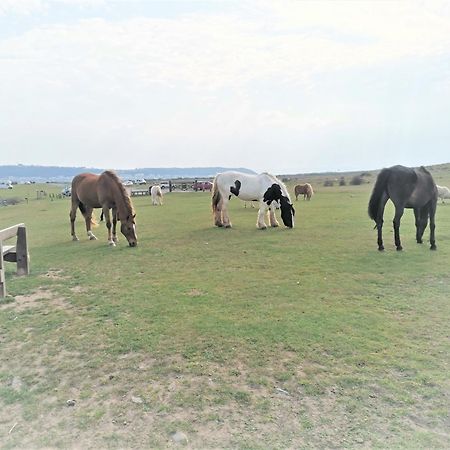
279 86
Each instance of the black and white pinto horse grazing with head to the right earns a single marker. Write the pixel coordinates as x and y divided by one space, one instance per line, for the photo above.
265 188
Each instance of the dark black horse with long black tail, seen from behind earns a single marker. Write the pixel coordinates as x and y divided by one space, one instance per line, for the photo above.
407 188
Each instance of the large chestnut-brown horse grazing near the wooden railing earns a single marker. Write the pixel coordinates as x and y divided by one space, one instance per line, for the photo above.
104 191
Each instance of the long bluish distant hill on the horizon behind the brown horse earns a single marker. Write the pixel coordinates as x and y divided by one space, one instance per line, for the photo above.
21 173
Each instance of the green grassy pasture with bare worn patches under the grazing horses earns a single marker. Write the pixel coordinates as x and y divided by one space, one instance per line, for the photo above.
237 338
